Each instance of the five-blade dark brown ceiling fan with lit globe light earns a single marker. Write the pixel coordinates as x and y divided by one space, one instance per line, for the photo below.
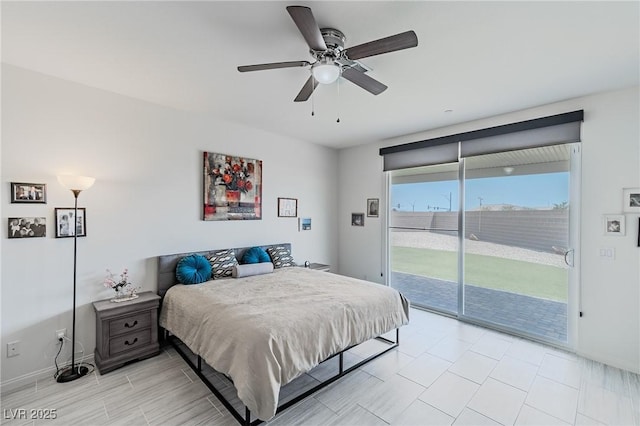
332 60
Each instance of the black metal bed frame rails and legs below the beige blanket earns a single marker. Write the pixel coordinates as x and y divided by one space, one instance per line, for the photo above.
246 420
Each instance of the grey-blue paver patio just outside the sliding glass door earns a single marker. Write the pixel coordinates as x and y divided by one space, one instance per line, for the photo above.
539 317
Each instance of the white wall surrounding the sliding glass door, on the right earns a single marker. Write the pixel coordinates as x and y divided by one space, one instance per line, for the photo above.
610 329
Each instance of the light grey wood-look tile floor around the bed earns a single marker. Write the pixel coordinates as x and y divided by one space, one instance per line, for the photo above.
444 372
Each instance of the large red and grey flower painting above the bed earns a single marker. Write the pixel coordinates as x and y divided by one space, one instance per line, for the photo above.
232 187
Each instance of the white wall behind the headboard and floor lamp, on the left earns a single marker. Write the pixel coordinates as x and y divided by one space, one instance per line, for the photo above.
147 161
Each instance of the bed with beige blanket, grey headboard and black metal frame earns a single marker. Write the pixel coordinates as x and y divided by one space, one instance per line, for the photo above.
263 331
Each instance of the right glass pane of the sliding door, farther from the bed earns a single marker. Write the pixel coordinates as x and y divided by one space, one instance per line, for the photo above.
516 247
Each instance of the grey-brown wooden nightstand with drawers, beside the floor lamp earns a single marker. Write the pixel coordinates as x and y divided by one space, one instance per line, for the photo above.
126 331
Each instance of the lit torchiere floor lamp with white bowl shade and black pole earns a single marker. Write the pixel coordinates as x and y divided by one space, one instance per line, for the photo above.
76 184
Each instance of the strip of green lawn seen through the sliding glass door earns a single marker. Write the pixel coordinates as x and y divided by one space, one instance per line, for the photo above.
531 279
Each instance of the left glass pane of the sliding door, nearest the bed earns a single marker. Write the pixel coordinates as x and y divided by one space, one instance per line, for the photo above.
423 236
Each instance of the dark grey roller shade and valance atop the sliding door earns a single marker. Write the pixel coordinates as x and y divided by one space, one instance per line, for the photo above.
552 130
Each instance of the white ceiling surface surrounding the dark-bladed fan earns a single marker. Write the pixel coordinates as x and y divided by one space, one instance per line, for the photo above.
478 59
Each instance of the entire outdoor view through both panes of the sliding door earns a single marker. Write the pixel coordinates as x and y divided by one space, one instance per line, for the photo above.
511 268
